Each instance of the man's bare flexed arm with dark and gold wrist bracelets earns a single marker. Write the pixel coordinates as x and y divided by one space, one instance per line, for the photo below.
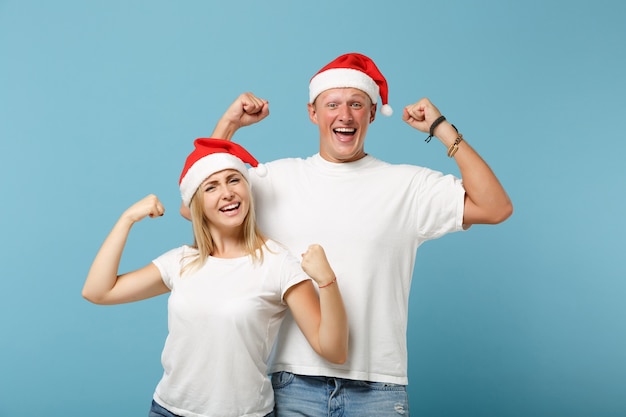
486 201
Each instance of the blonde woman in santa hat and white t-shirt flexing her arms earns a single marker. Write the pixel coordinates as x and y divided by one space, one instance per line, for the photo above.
229 292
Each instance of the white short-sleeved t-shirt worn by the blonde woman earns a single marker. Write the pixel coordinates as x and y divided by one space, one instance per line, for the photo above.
222 322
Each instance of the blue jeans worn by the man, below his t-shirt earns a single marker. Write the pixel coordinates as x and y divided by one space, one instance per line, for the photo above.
321 396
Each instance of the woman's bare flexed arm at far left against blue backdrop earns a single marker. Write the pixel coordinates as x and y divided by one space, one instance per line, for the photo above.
103 284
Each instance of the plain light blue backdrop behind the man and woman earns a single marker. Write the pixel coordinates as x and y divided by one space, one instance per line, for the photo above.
100 102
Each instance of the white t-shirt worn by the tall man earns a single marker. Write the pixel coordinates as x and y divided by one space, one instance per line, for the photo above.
370 216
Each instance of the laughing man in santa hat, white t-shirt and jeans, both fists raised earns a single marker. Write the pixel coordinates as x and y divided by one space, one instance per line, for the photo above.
370 216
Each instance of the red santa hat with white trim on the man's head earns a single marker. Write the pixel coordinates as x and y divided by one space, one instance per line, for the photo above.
352 70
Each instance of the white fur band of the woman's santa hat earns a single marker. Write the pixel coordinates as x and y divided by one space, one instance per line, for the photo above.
204 168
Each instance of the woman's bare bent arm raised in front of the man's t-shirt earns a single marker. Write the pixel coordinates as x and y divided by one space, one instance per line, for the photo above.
322 319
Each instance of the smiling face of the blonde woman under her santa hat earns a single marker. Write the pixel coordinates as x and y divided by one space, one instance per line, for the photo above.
226 200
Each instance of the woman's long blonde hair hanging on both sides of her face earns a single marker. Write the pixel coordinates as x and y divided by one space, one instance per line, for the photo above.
253 239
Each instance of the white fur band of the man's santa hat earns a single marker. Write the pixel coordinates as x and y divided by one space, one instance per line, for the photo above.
342 78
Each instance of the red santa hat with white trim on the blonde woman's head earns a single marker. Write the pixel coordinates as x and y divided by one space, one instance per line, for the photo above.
211 156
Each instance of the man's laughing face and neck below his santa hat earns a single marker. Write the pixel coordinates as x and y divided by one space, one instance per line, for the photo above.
342 116
